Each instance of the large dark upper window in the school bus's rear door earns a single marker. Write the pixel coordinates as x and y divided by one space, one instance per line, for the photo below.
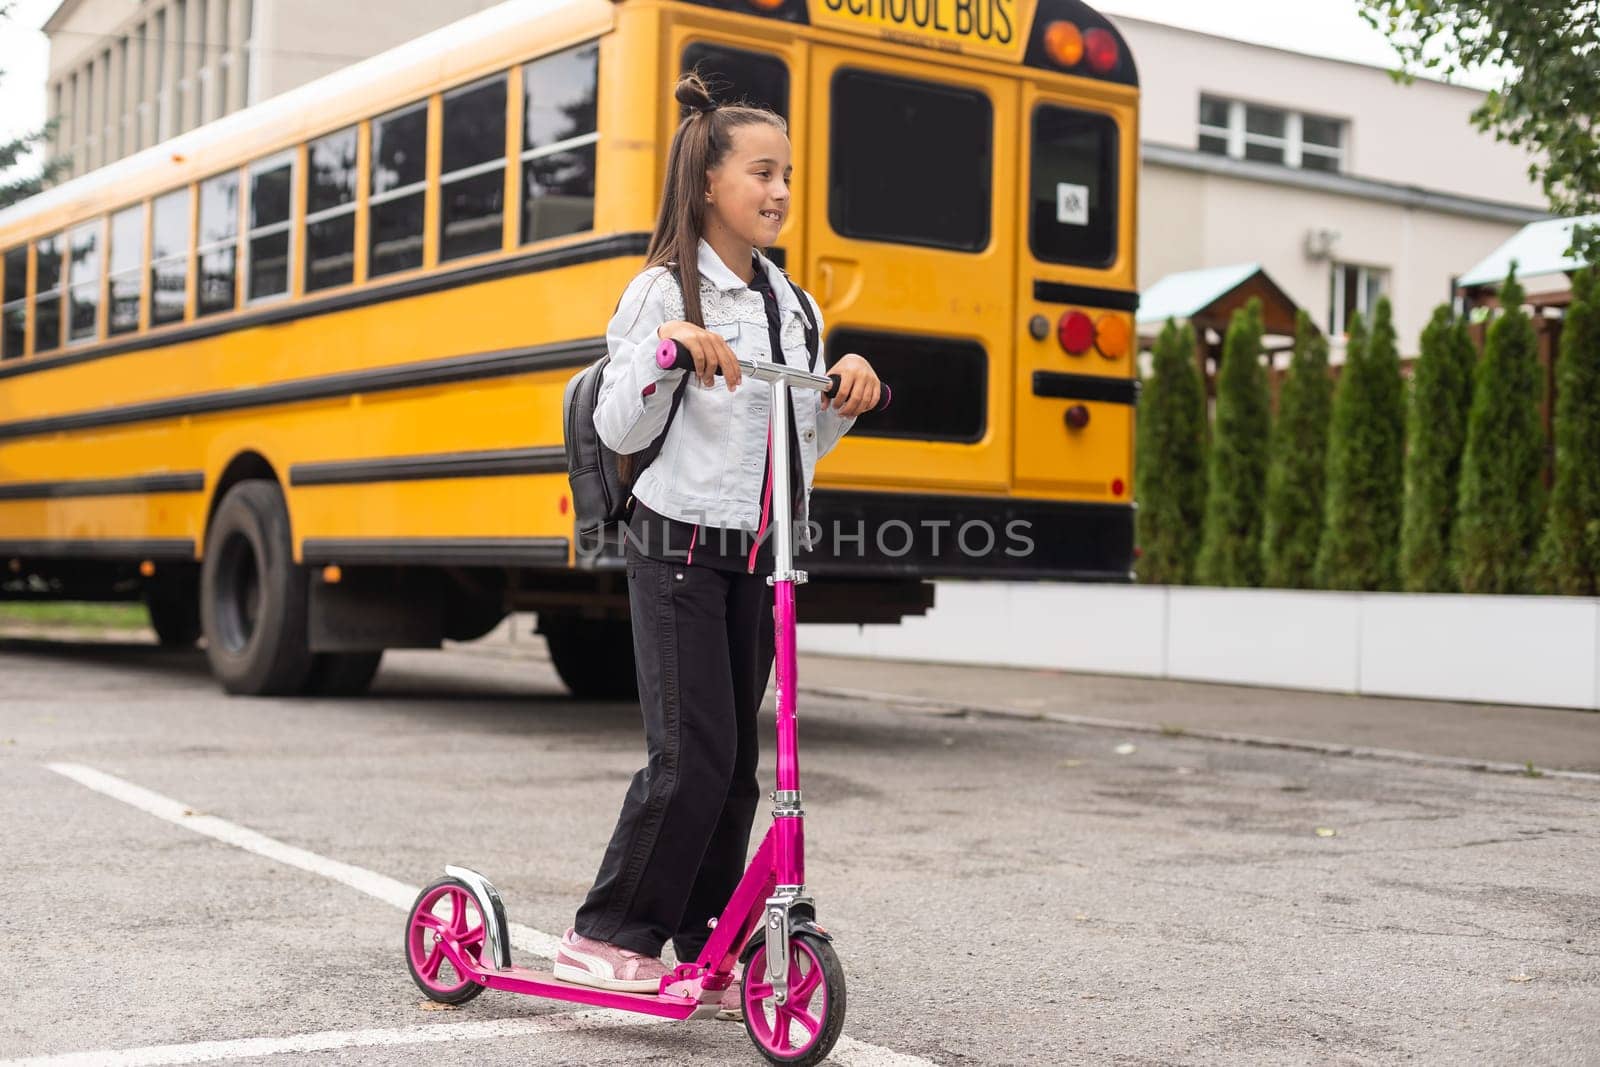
910 162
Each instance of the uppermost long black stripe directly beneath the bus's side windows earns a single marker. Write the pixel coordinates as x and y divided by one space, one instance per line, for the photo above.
615 247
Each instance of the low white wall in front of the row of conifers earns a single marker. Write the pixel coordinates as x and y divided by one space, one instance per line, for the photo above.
1498 650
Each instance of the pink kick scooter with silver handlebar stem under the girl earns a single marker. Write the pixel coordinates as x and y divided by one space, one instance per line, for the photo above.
794 988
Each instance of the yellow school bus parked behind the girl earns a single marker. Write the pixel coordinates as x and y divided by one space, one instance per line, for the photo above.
295 378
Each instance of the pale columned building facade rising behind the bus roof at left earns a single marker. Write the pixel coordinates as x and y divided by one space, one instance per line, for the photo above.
127 74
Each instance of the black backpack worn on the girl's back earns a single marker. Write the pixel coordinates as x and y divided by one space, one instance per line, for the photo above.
602 484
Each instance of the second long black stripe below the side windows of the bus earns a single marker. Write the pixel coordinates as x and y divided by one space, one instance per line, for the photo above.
457 369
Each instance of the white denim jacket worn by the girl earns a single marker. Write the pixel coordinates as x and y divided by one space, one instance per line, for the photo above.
714 457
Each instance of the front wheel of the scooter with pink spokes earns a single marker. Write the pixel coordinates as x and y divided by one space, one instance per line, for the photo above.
804 1029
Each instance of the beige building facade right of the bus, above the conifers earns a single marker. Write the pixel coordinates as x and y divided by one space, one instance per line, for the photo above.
1343 185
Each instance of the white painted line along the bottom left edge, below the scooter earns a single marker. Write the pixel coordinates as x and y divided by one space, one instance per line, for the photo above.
329 1041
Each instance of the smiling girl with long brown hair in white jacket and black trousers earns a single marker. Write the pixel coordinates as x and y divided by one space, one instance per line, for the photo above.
698 553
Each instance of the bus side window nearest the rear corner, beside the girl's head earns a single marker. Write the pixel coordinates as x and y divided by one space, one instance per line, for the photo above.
559 137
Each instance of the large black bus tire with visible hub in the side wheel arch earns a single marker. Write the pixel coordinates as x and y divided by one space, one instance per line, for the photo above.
254 596
